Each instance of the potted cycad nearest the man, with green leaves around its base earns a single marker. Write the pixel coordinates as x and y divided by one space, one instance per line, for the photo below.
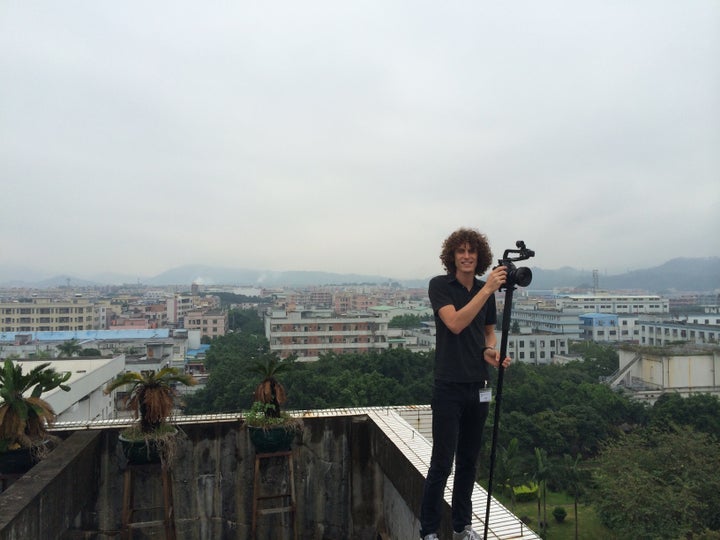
271 429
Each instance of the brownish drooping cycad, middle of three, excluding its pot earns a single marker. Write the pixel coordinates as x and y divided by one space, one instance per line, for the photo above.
151 394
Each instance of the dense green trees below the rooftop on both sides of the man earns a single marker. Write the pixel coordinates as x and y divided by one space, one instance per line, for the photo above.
620 469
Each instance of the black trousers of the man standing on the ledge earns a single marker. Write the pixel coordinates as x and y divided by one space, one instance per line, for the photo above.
457 428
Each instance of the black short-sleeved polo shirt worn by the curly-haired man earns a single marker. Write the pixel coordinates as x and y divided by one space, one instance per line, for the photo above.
458 358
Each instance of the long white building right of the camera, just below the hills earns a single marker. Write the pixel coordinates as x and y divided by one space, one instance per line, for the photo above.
614 303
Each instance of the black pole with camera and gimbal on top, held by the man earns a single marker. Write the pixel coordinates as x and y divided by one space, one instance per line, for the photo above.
515 276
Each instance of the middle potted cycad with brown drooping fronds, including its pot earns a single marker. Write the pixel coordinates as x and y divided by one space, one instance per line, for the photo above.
151 397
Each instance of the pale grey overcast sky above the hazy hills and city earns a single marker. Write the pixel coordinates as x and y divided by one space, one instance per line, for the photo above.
355 136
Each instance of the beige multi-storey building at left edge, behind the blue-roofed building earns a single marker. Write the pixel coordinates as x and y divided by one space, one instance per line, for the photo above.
47 315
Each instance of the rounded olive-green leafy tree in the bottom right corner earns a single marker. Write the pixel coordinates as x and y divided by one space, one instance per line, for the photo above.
659 484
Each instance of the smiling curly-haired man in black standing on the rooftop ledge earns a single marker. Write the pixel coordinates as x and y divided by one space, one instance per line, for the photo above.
465 318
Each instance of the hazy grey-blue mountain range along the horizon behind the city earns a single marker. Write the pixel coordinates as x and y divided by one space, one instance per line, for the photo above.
680 275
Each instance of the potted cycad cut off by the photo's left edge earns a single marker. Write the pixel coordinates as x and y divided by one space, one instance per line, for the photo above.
24 416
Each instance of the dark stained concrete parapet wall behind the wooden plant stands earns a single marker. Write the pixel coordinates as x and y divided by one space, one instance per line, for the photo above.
345 471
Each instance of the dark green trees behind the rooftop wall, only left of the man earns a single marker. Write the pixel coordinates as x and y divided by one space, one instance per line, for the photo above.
394 377
